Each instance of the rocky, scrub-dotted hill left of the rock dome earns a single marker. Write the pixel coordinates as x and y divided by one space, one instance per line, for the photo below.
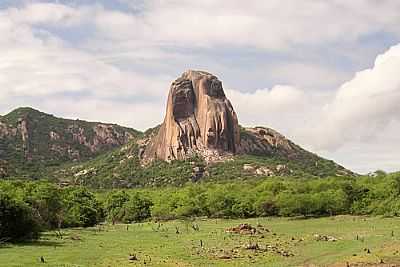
29 136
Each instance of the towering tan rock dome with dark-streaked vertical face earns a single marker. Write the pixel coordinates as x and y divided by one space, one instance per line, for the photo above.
199 120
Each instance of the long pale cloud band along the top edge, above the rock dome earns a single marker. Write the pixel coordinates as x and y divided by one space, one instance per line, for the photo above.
273 24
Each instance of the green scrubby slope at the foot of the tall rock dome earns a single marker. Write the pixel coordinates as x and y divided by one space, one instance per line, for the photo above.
122 168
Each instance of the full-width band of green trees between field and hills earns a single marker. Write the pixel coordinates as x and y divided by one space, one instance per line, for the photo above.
27 208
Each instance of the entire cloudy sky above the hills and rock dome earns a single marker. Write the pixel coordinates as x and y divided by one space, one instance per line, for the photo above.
326 74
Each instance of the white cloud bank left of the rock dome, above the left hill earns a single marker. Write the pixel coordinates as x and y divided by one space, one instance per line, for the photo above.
38 68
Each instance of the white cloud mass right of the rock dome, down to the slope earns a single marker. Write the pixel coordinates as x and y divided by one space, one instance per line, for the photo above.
358 124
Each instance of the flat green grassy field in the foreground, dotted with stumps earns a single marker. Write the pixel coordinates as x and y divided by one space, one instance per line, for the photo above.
277 242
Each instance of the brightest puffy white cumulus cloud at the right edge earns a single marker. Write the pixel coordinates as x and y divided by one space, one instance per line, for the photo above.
363 106
